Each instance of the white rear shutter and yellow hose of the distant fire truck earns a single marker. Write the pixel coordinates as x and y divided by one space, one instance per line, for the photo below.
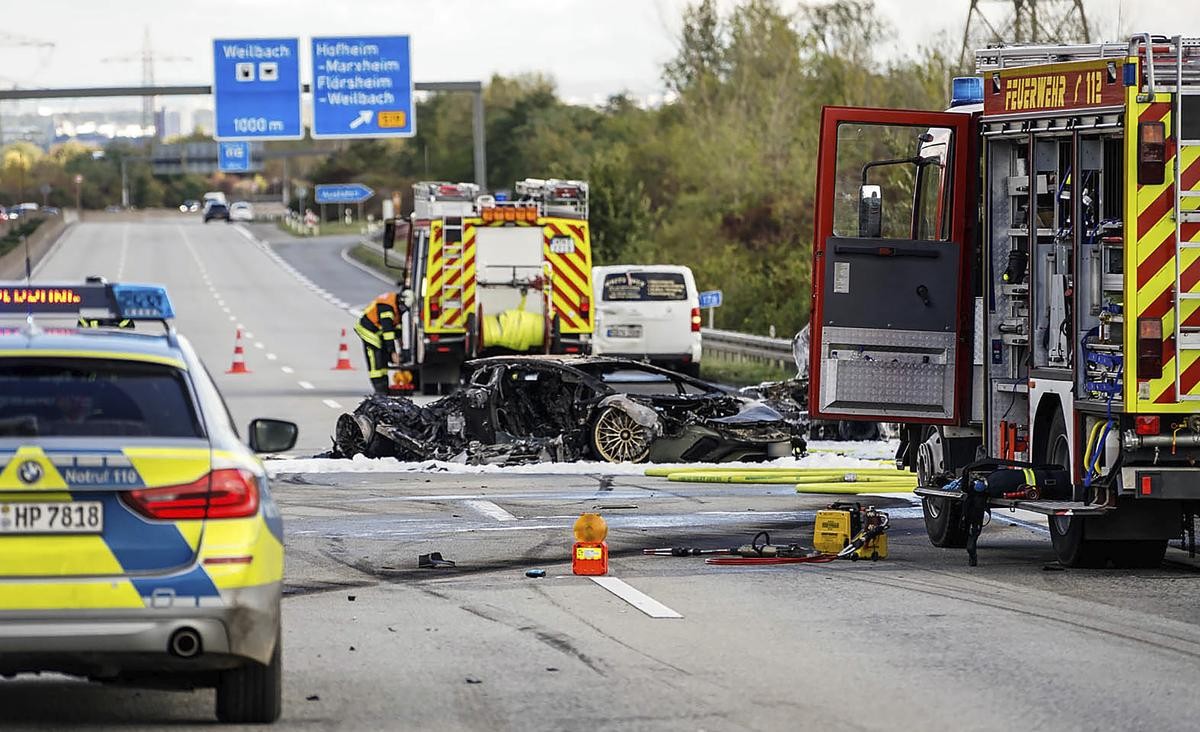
508 269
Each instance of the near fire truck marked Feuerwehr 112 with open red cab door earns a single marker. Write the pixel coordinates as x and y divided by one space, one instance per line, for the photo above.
1017 283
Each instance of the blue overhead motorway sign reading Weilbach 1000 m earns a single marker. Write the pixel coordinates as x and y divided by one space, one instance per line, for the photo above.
256 89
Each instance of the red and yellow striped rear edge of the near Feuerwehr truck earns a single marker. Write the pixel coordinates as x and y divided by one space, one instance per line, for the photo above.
1151 265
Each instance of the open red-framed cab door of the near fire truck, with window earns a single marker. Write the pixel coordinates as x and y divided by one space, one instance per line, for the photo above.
893 254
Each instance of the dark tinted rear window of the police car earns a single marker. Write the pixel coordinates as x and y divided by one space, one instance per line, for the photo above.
62 398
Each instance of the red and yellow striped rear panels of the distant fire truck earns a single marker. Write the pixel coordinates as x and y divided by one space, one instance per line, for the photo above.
452 290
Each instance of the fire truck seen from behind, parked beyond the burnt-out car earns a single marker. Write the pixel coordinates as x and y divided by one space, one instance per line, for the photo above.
490 275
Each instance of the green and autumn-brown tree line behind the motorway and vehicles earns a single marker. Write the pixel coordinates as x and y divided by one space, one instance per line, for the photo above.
719 178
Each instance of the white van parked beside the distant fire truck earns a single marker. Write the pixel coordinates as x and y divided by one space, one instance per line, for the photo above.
649 313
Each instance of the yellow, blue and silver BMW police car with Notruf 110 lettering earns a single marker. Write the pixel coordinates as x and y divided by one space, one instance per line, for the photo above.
139 538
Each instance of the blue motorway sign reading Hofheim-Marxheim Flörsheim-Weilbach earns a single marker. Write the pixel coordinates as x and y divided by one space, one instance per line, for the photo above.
363 87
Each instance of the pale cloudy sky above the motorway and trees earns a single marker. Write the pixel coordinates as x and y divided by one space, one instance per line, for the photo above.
593 49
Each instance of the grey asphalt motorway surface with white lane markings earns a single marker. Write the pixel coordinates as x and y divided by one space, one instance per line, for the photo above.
917 641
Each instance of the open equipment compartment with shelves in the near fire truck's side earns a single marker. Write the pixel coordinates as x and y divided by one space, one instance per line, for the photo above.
1055 292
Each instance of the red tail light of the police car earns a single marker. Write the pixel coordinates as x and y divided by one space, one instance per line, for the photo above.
225 494
